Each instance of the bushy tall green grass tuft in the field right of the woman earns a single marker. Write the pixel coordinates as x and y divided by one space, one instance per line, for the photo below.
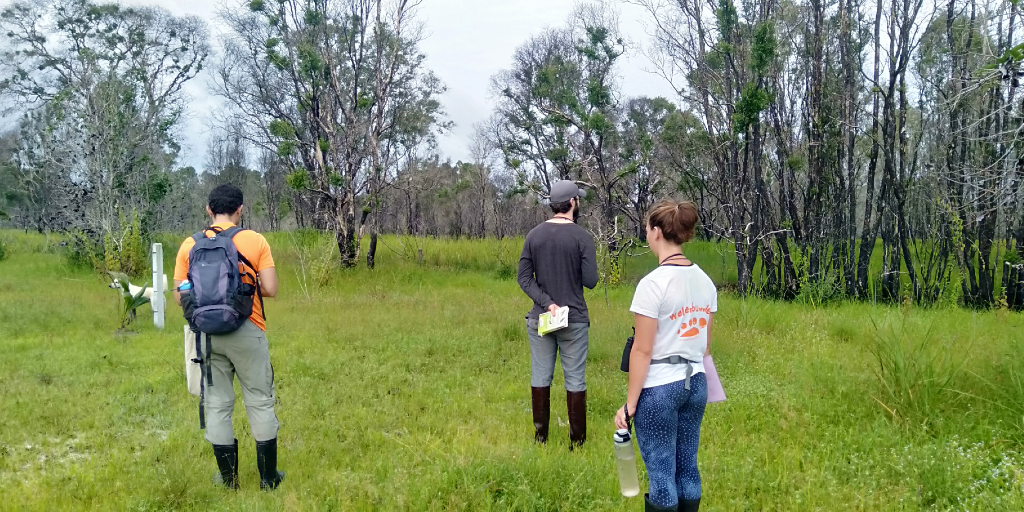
915 371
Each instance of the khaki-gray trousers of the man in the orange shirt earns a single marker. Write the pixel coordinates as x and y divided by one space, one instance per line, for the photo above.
244 353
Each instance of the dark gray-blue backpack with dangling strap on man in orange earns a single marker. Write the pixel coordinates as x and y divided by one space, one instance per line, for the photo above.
219 303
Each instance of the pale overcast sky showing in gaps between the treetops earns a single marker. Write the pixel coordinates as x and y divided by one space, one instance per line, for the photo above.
468 41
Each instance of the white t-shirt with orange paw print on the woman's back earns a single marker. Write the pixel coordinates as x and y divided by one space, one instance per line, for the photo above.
682 300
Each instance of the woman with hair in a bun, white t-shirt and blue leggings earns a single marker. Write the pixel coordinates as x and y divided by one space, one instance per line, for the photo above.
675 308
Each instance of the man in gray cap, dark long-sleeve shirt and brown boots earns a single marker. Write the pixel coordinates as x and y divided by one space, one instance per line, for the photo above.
559 261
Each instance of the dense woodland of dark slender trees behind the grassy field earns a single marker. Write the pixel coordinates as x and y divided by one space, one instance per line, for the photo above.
844 149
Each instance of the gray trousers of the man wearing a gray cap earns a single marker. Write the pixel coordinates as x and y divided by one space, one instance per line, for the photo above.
573 343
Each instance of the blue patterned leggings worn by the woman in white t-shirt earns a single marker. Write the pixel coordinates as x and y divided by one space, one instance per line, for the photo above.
668 429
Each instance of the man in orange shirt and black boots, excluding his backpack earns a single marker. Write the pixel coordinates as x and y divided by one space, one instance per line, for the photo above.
243 353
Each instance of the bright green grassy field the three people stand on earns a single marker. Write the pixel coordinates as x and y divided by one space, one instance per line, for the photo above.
406 389
